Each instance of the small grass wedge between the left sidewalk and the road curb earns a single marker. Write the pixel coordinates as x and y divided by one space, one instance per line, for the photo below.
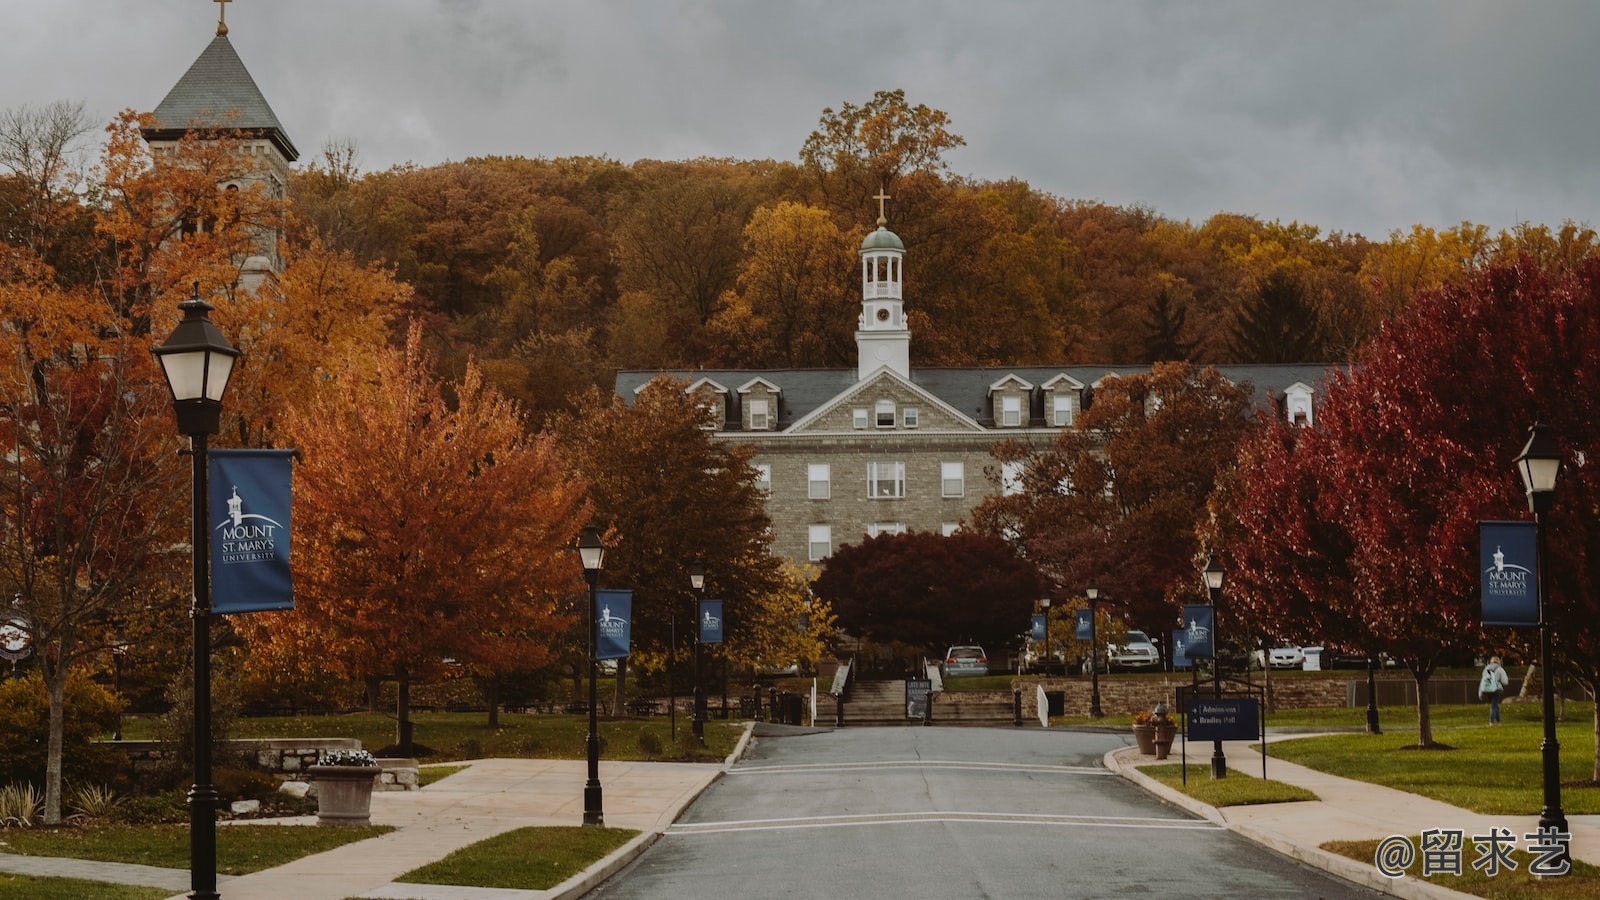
527 859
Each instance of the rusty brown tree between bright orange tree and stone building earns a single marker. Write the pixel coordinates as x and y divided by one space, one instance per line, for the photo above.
670 496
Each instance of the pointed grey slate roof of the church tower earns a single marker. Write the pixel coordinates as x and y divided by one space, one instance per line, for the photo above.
215 87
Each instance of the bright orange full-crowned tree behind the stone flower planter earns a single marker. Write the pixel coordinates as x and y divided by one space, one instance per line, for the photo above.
430 526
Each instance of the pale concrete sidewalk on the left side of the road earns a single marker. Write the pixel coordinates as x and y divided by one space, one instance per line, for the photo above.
487 798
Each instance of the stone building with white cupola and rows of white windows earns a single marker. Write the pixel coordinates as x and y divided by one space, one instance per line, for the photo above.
887 448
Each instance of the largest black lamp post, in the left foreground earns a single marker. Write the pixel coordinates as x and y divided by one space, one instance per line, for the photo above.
198 363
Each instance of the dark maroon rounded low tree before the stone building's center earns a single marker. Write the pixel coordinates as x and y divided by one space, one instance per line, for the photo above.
930 590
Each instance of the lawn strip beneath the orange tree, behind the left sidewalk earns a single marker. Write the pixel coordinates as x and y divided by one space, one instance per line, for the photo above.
465 736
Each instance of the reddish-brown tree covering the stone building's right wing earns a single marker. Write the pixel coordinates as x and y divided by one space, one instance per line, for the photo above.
1118 499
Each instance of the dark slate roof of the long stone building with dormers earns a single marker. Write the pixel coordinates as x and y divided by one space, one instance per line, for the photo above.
966 390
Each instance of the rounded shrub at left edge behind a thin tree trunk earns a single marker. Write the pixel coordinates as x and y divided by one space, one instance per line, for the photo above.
25 721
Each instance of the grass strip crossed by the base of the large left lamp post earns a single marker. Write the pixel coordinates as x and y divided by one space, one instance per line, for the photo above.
241 850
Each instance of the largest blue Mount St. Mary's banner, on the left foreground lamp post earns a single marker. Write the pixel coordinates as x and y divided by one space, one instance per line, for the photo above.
250 494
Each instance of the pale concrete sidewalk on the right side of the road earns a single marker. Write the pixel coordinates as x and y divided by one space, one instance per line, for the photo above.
1345 811
